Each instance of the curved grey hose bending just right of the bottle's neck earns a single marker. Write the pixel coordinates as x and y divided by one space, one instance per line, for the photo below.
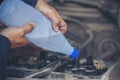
85 27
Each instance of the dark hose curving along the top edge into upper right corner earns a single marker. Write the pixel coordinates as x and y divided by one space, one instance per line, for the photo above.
107 13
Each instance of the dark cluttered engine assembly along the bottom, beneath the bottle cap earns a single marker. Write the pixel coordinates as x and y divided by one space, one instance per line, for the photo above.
50 66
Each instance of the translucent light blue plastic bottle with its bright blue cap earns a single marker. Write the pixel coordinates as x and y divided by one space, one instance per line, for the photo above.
18 13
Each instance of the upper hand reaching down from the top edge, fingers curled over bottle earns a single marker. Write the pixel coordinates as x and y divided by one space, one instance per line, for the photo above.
53 15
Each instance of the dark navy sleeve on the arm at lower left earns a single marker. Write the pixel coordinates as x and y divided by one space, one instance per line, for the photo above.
4 46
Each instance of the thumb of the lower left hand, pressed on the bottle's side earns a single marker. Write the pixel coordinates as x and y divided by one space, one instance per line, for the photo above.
28 27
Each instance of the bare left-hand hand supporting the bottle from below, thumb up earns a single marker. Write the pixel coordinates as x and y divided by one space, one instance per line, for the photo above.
17 34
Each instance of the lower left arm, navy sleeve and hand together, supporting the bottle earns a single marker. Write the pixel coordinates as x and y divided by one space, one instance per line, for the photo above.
11 38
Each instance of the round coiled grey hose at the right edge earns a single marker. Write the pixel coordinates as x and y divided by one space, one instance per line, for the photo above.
107 44
